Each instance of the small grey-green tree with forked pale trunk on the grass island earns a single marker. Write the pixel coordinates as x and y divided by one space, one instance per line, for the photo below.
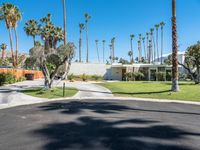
52 61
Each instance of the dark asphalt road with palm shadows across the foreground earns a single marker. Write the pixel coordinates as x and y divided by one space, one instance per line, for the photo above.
101 125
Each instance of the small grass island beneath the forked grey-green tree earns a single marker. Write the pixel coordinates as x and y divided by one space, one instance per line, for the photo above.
50 94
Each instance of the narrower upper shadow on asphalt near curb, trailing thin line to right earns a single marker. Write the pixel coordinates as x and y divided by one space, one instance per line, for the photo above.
77 107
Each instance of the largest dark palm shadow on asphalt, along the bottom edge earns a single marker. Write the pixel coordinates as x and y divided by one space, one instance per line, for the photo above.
90 133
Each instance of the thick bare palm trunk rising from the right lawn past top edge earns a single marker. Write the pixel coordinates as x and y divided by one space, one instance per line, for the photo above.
175 85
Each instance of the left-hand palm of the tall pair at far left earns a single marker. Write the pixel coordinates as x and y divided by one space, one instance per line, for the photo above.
8 13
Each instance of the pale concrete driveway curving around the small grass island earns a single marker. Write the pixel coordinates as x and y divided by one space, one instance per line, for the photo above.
10 95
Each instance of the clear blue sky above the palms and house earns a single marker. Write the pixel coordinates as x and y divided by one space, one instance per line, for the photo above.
111 18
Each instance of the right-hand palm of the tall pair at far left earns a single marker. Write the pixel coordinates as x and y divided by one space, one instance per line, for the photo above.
16 18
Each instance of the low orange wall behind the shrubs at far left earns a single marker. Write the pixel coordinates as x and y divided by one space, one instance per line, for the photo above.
21 73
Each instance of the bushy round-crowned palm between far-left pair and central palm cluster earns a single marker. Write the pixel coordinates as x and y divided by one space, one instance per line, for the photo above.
32 29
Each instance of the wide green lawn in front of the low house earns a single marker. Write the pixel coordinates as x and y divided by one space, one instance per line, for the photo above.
157 90
